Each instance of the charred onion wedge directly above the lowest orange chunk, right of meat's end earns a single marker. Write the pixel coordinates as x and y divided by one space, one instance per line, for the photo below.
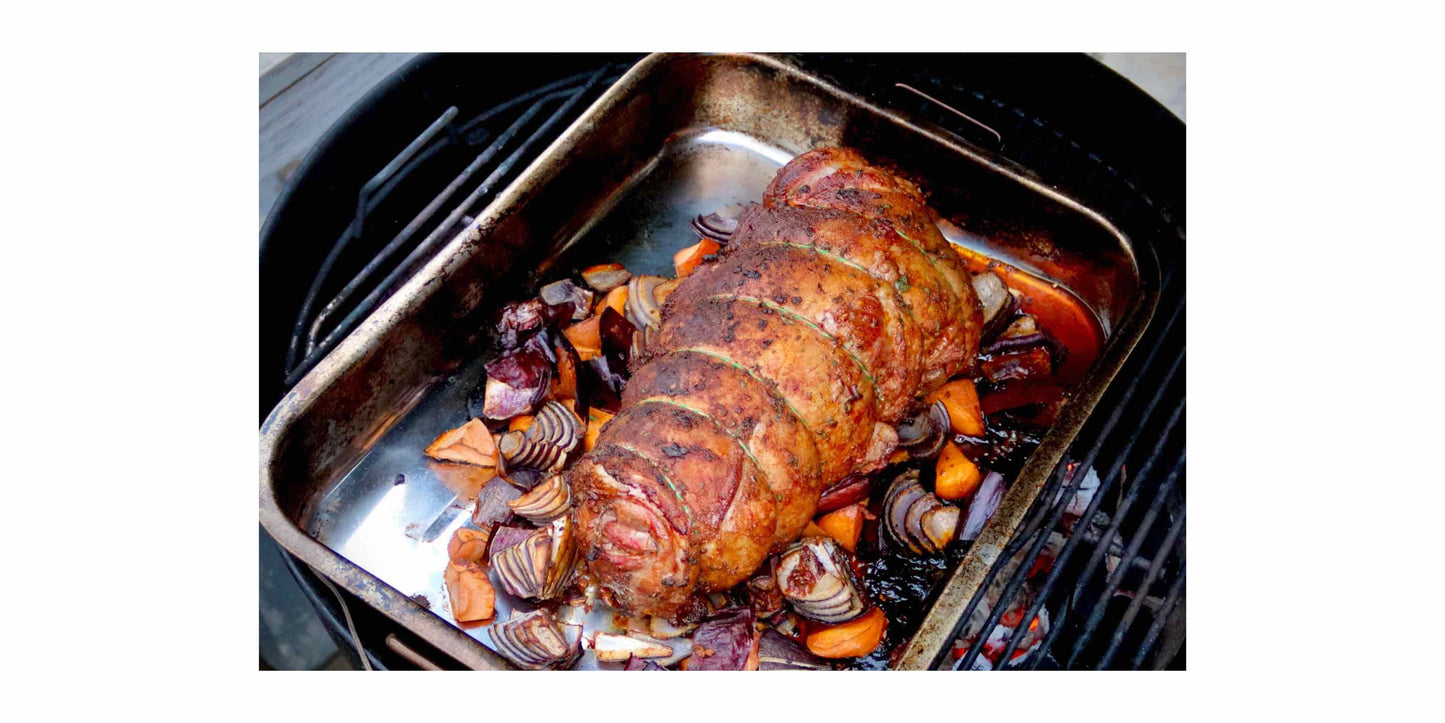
817 579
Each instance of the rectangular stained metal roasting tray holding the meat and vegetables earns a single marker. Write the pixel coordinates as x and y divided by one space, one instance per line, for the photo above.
678 135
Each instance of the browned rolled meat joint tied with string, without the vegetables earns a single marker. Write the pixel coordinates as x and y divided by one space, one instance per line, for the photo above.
777 371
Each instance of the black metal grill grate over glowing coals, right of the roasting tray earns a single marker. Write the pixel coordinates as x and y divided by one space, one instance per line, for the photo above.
1134 527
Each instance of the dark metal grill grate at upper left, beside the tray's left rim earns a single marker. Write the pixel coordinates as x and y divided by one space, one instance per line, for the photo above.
535 118
